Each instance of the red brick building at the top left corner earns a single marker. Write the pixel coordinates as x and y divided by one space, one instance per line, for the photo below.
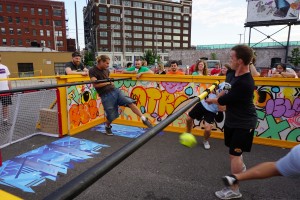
39 23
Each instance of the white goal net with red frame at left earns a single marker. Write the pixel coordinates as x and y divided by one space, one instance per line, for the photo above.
24 115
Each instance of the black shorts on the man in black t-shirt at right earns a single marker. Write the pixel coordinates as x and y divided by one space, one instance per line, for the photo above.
238 140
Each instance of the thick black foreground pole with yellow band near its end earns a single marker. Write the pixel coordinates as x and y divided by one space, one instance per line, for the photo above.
77 185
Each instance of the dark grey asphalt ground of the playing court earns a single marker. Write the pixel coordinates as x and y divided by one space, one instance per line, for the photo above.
162 169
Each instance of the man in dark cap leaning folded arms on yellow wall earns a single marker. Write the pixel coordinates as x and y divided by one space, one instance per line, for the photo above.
75 66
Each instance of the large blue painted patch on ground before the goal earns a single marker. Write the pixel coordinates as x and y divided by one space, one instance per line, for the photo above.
34 167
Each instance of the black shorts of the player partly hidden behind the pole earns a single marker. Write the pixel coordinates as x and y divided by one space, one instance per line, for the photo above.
199 113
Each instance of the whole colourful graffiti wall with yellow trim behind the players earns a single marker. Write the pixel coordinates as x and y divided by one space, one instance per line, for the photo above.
277 107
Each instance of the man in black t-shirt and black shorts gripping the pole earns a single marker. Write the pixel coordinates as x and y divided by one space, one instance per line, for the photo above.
241 117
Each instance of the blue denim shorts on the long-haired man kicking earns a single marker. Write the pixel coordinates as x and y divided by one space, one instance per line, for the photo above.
111 102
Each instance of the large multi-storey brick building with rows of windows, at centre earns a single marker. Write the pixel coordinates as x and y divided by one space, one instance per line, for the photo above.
125 29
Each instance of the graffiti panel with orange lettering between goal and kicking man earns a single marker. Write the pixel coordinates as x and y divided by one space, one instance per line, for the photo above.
83 105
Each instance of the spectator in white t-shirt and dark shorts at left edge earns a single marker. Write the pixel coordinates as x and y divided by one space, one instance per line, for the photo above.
5 85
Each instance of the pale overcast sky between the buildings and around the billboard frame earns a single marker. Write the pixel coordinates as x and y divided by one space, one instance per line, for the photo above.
213 22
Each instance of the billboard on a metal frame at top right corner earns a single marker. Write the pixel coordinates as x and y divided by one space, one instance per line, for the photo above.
270 10
